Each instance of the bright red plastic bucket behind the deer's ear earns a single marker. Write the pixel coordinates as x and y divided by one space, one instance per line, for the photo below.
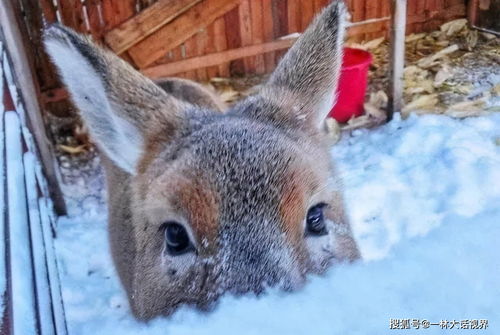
352 85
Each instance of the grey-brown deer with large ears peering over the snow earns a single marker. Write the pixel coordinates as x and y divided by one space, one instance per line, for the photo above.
203 202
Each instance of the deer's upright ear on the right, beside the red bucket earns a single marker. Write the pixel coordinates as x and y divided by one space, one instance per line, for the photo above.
301 91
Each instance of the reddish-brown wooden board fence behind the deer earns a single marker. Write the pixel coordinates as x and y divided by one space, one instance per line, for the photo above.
200 39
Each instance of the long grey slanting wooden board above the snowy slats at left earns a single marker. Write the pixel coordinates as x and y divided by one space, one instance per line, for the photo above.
29 92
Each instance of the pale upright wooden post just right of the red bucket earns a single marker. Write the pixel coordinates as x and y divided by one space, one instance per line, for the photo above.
397 57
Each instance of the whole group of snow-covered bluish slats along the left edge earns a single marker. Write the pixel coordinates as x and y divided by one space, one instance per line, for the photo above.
30 295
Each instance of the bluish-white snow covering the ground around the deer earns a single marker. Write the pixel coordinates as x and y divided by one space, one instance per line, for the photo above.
423 196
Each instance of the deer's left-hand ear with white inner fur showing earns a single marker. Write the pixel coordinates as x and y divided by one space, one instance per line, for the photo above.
118 104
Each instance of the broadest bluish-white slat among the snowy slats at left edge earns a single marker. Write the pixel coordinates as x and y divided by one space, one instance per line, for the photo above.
22 282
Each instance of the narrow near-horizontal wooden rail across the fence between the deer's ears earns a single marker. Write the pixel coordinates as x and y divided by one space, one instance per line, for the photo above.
189 64
